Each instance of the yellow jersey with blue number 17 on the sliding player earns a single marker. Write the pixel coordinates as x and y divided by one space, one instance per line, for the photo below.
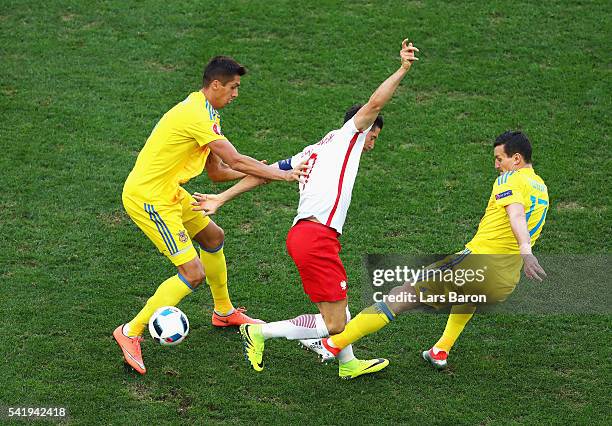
494 235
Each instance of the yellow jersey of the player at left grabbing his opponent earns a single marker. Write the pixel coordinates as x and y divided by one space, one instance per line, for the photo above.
175 152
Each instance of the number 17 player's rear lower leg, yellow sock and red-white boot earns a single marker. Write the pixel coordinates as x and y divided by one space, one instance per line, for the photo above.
437 356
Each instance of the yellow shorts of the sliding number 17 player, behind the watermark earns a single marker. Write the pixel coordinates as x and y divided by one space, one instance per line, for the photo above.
467 278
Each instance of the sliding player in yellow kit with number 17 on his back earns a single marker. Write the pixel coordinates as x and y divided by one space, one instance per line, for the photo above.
512 222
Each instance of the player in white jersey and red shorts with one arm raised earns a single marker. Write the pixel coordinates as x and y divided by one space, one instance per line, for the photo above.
312 242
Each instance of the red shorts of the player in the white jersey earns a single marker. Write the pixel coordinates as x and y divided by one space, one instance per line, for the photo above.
315 250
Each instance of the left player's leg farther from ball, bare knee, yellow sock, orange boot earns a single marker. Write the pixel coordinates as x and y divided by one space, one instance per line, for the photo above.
211 240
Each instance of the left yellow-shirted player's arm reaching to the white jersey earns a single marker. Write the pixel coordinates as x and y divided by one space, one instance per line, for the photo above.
250 166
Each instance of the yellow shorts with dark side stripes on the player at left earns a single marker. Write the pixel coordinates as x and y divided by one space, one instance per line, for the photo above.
170 226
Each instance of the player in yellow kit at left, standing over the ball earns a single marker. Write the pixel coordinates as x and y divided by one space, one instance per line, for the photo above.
187 140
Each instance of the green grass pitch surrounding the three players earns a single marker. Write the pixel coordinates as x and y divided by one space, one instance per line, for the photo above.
83 83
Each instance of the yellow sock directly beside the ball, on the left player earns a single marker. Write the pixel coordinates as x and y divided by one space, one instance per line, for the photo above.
169 293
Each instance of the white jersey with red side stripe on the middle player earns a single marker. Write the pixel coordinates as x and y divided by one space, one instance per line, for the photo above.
326 193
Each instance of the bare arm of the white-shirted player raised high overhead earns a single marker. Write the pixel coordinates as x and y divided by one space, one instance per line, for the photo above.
368 113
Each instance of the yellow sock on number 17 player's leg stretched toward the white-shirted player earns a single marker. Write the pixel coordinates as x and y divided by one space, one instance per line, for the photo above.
366 322
